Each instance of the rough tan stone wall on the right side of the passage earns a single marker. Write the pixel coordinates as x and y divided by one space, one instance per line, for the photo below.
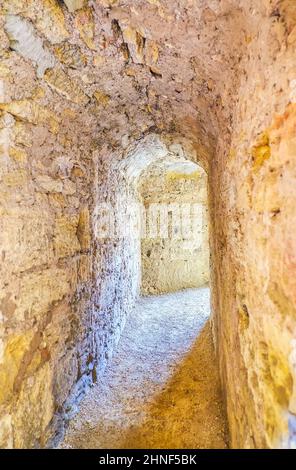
253 219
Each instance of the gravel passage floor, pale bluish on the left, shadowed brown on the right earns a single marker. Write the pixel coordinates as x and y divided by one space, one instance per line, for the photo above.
161 389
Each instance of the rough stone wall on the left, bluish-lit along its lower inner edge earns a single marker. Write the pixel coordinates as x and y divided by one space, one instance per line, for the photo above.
59 314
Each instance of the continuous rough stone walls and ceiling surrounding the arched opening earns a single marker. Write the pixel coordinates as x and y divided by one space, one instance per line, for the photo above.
216 78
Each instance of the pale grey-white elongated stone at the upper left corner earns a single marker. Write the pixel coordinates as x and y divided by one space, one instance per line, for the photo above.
24 40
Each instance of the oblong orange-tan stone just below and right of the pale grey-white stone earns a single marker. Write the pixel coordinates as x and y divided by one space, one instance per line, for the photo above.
59 81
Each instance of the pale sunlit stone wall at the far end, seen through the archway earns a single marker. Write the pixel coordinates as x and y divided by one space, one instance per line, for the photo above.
178 258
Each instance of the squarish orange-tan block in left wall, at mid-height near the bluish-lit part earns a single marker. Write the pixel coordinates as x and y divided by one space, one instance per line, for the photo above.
66 242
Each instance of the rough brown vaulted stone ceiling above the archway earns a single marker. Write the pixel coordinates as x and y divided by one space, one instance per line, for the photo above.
139 66
